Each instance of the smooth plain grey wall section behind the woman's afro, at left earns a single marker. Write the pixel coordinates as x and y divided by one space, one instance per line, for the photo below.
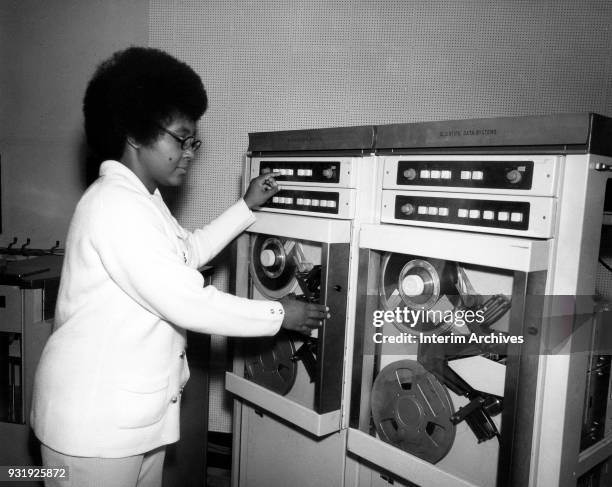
48 51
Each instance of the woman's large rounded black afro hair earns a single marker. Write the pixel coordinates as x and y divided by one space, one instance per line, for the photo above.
133 93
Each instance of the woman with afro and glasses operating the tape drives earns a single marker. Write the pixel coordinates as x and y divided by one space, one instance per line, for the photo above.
108 386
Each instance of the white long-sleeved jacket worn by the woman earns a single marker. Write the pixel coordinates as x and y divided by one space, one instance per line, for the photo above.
111 375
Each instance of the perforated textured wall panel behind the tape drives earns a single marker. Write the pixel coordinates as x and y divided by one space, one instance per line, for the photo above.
292 64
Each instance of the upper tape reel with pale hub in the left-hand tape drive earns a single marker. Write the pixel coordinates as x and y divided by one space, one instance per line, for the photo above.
272 268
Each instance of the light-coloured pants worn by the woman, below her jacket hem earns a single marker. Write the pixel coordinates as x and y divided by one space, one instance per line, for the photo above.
136 471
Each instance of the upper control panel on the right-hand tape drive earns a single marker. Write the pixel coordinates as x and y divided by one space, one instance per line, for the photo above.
529 175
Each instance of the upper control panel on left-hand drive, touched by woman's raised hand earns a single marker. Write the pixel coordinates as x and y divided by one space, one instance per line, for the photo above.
308 171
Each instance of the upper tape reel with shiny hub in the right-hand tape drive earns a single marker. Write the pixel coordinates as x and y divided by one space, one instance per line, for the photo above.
418 284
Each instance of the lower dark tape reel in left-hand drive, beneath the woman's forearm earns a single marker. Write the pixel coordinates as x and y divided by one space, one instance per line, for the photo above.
272 363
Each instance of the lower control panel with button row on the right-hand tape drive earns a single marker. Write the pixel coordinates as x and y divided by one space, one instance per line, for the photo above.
529 216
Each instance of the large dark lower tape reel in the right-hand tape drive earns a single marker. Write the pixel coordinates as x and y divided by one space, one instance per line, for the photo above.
411 410
